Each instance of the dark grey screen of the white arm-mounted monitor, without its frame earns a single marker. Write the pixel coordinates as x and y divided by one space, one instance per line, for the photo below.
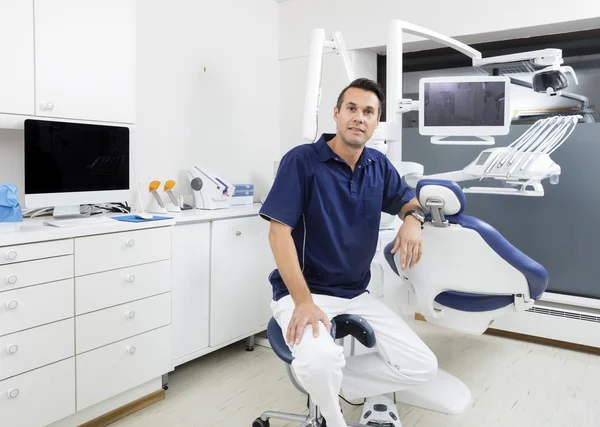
464 104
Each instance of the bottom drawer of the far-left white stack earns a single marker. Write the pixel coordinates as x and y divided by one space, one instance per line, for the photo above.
42 396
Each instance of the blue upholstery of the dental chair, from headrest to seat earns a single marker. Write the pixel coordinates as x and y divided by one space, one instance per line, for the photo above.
535 274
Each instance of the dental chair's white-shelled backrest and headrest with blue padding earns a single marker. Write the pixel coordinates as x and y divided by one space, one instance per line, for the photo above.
465 254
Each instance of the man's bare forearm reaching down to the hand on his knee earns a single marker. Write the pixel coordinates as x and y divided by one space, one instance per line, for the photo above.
288 265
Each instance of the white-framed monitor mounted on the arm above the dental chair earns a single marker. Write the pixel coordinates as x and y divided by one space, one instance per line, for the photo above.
464 106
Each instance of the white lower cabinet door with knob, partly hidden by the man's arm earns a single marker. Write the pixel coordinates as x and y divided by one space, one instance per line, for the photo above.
240 294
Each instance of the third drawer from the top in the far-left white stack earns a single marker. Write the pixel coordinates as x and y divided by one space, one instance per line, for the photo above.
36 305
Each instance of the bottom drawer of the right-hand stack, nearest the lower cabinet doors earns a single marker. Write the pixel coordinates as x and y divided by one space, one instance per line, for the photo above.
113 369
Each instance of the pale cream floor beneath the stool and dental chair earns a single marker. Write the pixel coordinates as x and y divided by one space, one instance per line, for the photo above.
513 383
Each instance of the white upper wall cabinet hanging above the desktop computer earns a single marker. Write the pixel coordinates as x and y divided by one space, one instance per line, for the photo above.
68 59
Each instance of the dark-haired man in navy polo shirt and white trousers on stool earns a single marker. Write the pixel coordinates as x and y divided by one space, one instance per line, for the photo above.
325 208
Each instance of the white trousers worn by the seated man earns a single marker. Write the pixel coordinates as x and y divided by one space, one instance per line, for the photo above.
402 360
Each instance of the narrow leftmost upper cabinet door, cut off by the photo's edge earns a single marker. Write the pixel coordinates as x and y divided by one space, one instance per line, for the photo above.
16 57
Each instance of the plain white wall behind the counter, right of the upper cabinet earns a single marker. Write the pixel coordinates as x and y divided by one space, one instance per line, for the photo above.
226 117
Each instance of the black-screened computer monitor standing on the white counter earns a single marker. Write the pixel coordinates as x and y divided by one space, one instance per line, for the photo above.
72 164
